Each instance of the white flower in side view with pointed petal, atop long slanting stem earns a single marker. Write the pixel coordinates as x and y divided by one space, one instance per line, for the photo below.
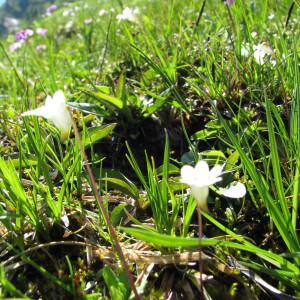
56 111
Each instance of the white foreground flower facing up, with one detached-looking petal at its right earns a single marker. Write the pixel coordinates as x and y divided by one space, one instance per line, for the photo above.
201 178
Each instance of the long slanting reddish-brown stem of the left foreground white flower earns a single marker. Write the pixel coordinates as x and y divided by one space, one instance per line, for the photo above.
105 212
